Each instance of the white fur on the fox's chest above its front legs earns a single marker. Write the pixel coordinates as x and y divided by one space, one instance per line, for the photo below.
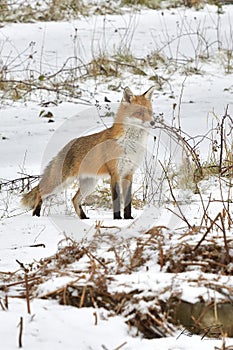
133 144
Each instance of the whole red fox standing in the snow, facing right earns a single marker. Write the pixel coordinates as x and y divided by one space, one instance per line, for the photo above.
116 152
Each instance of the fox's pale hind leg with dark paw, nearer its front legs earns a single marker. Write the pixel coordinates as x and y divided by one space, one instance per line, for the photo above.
86 187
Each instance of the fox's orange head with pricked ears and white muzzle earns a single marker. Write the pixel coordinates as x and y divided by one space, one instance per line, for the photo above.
136 109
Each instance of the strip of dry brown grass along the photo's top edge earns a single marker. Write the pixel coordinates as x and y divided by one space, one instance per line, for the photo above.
57 10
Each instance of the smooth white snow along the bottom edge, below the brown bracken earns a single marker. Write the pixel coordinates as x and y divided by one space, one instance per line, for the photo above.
54 327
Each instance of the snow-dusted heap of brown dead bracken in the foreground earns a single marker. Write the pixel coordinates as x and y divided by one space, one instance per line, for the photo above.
100 274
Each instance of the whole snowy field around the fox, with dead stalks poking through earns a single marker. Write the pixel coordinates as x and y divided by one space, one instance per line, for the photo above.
140 257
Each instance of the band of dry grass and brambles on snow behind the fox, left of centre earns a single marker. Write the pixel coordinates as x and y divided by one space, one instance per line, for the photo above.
67 83
